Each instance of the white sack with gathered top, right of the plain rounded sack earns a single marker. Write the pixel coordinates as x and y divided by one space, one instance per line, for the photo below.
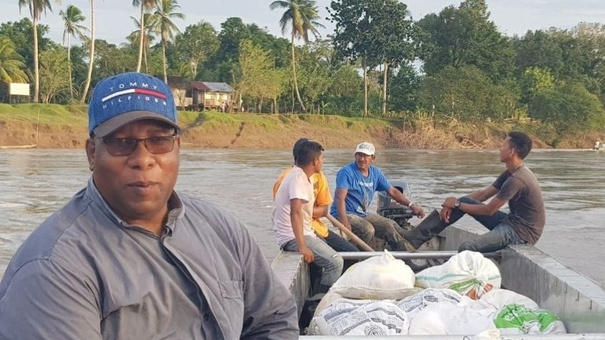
467 272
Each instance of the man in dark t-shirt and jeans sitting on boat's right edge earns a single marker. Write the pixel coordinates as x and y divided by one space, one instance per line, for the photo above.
517 185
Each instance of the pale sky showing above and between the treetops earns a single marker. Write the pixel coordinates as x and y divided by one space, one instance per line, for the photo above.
511 16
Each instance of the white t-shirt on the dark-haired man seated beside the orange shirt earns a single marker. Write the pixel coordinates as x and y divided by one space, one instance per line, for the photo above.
296 184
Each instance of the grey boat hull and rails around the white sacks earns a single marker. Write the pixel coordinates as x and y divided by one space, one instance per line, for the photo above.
576 300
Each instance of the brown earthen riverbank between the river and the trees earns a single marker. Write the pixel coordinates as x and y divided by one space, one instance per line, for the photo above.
65 126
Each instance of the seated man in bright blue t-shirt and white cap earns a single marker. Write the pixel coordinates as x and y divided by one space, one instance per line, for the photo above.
356 184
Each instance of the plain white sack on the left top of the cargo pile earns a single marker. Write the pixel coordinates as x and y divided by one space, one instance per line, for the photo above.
375 278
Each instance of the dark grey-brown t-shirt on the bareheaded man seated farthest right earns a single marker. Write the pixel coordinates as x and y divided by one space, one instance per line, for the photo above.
522 191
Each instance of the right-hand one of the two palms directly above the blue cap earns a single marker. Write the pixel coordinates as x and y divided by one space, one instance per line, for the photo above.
161 21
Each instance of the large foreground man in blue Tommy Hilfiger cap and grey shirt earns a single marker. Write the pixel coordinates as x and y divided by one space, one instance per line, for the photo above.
130 258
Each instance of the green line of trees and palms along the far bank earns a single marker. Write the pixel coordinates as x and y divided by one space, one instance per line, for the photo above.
454 64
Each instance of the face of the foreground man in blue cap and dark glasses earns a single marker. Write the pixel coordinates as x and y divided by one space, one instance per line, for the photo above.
136 186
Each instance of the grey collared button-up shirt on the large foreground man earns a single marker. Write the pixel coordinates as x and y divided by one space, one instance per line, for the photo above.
85 274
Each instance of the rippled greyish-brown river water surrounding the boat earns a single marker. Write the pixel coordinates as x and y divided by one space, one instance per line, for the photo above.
34 183
